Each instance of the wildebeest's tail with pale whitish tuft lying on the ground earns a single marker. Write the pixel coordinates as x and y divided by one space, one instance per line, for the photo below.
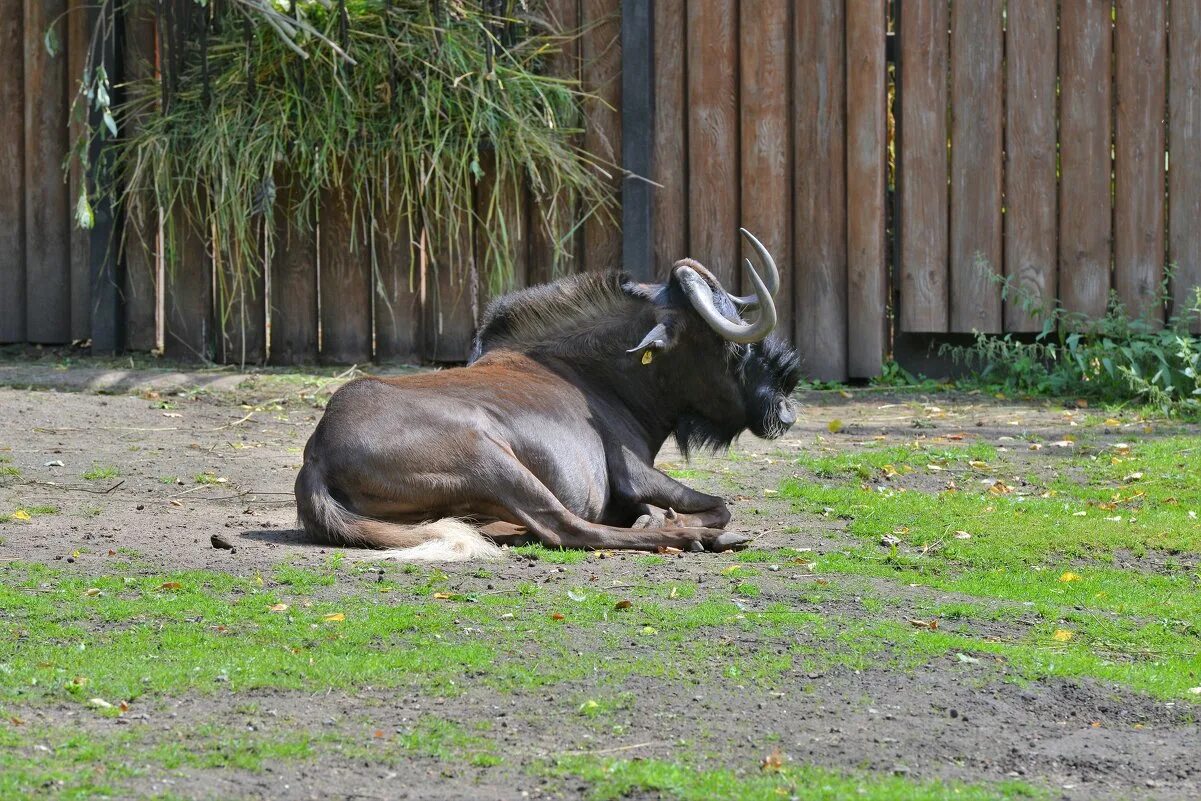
440 541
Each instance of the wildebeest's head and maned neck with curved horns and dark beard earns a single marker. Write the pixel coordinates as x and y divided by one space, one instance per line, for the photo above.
709 372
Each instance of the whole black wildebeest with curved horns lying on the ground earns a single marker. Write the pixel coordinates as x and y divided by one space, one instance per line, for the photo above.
553 429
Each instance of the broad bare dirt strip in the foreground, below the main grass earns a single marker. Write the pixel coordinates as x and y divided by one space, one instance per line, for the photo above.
1083 740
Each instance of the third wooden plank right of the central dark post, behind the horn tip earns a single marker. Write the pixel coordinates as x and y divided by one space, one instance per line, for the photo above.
766 142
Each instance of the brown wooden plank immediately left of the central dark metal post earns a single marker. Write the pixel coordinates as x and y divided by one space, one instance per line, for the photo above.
601 56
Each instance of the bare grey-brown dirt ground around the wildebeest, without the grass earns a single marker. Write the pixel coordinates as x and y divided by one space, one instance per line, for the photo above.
942 721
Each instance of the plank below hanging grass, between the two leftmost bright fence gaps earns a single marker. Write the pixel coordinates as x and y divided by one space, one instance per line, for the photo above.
189 292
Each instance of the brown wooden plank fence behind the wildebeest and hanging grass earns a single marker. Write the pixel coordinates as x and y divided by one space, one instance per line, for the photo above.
1057 145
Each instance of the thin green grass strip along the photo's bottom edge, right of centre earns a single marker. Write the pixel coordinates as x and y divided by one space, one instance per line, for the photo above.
616 779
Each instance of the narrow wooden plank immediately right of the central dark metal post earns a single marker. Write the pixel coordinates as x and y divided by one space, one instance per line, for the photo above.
671 162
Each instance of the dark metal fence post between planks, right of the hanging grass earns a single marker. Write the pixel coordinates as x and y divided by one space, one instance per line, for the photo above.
637 136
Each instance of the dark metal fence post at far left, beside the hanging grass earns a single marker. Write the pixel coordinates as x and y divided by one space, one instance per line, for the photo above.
107 312
